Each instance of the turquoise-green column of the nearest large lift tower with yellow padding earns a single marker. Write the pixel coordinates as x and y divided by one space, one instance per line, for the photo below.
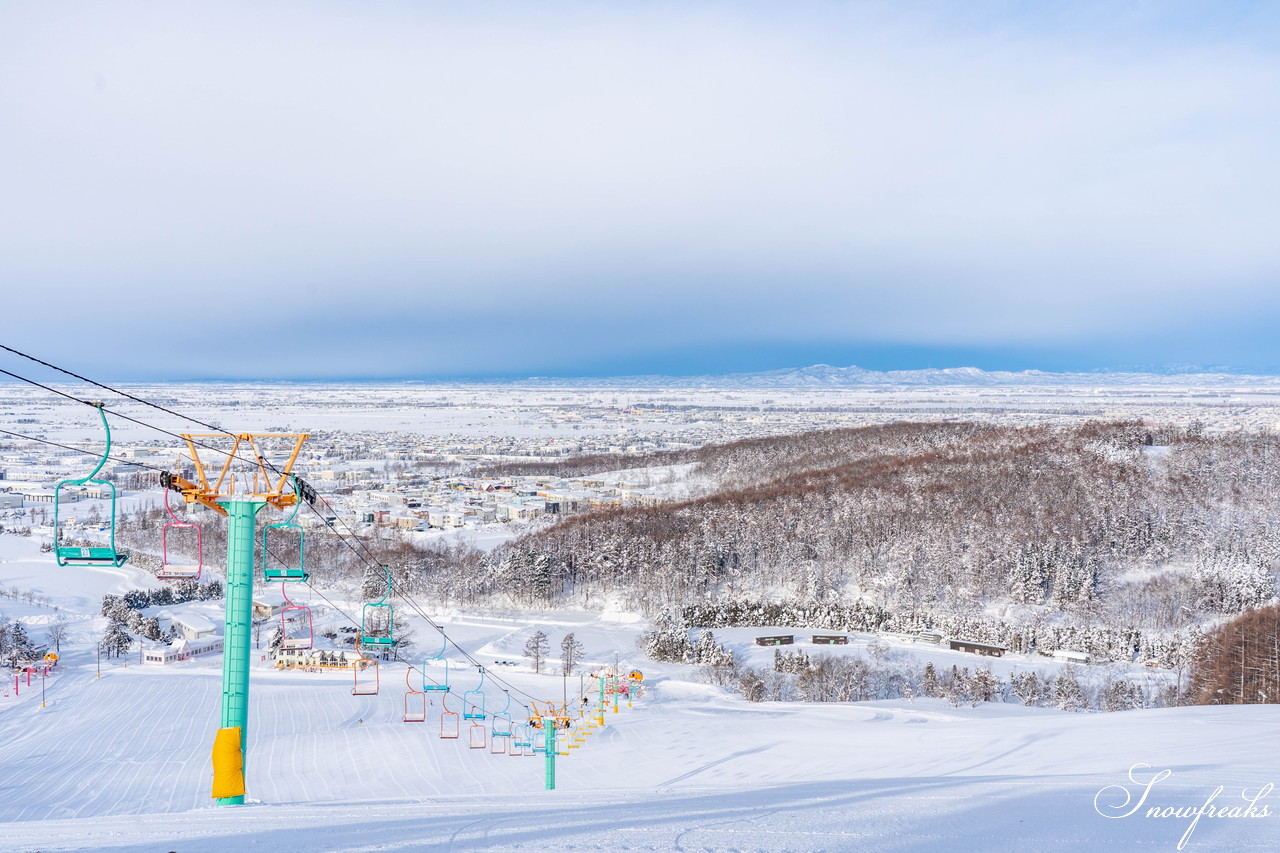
241 536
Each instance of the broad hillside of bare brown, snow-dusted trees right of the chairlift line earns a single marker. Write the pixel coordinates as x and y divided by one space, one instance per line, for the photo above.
999 532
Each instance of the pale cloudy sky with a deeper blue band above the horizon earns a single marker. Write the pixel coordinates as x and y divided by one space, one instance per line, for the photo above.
438 190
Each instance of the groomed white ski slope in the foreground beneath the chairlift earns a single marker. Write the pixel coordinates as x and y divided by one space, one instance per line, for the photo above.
121 763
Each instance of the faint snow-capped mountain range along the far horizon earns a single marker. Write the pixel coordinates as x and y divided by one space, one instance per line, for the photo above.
822 376
